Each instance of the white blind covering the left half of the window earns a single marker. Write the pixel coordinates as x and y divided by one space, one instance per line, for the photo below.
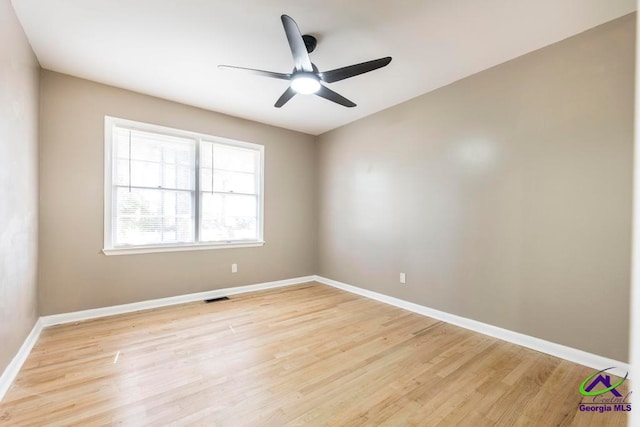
154 188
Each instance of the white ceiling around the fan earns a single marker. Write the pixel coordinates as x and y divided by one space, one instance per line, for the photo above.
171 49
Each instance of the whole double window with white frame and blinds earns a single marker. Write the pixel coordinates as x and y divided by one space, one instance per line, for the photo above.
167 189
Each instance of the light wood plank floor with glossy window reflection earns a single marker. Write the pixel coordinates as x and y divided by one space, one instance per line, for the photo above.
301 355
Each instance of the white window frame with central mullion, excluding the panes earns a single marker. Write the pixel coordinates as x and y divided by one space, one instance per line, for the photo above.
109 124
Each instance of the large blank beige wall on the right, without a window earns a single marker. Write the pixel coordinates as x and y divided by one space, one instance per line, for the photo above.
505 197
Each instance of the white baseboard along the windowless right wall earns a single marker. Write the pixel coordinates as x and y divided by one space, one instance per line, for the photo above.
574 355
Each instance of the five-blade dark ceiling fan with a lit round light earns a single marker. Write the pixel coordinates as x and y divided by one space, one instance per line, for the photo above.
305 78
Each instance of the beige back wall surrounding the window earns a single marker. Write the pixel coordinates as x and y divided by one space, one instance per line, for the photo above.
75 275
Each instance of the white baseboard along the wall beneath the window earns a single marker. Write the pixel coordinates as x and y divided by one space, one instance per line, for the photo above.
77 316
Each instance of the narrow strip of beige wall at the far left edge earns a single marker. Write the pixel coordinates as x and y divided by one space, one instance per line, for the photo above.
18 185
